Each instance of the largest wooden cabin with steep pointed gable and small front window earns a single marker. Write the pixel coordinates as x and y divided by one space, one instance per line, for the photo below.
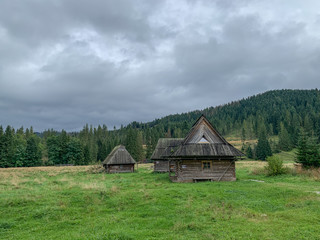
203 155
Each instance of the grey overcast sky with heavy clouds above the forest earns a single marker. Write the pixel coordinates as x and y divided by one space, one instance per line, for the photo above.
65 63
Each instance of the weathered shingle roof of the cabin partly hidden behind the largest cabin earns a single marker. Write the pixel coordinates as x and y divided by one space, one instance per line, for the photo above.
165 147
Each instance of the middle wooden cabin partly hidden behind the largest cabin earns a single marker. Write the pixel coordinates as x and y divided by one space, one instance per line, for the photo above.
164 148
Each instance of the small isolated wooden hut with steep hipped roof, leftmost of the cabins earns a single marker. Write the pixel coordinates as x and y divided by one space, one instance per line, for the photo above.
119 161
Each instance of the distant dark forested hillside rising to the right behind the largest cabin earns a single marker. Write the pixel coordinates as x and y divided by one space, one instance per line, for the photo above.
246 117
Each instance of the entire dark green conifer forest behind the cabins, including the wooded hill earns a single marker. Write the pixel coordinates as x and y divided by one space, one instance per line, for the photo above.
291 115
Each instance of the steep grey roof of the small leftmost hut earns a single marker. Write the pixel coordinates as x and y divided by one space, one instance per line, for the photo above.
119 155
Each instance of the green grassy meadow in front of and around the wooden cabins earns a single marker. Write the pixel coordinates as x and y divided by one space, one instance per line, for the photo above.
74 203
